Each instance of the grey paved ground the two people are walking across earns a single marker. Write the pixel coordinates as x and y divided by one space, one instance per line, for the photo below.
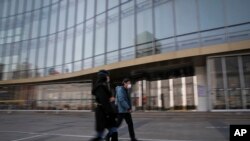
30 126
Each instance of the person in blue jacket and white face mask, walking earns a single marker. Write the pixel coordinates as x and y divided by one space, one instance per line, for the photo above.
124 105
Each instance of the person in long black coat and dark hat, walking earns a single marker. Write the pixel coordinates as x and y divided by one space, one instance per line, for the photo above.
104 112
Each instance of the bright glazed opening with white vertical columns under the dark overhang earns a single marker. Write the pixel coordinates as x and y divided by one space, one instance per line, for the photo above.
165 94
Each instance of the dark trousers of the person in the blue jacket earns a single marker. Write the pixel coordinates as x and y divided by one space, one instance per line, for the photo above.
129 121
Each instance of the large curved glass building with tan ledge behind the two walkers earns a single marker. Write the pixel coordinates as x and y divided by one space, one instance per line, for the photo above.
188 55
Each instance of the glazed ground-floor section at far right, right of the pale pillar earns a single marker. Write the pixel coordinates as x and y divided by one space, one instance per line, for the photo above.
229 82
